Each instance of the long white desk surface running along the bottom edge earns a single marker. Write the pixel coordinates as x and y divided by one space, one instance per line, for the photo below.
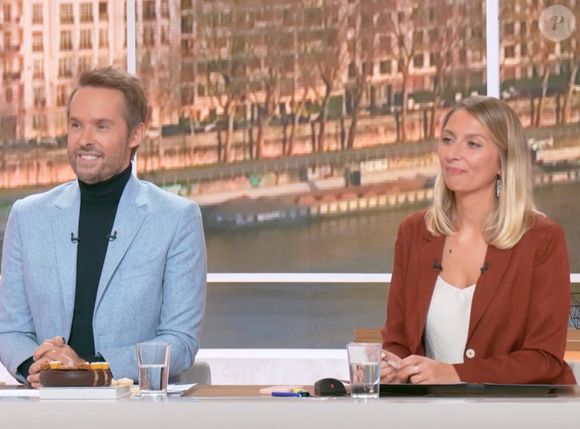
292 413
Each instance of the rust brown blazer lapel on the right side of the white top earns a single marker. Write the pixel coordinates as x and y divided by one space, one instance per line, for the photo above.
496 262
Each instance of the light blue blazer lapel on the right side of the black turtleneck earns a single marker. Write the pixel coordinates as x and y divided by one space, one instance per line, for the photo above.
128 220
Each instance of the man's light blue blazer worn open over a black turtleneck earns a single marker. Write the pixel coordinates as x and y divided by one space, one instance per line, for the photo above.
152 285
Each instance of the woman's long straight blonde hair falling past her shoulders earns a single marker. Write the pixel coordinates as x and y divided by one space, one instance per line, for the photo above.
513 212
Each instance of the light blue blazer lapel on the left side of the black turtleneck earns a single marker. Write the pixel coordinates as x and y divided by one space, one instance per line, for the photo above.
64 221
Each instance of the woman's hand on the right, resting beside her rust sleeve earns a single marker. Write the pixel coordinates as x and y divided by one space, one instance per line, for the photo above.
422 370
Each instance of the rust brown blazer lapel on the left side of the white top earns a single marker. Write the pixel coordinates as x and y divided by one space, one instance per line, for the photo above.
429 255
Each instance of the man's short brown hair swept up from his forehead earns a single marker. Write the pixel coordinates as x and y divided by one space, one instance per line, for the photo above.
136 108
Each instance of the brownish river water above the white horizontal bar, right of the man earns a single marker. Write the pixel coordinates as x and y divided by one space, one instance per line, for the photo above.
357 242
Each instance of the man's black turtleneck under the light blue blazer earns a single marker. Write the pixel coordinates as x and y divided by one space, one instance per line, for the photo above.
99 204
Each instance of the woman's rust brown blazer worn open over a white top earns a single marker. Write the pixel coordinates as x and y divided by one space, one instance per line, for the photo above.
519 315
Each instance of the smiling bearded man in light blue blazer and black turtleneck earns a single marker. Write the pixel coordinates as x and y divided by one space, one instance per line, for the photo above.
94 266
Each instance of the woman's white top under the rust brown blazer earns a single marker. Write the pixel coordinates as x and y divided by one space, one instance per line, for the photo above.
447 322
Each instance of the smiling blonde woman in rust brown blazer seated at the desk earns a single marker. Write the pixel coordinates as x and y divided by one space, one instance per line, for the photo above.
480 291
